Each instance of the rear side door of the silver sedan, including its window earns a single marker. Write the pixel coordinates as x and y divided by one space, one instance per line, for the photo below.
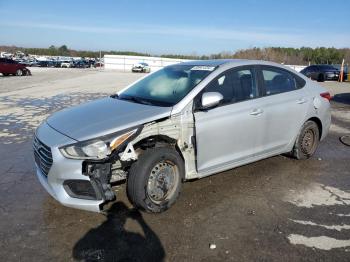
285 104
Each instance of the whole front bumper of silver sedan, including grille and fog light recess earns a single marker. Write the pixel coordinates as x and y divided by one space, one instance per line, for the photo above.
73 183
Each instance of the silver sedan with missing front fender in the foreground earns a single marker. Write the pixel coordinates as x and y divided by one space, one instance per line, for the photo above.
182 122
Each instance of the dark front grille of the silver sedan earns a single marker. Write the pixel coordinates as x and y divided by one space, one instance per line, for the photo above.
42 155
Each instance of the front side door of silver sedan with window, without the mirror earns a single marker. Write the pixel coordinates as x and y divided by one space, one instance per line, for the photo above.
229 132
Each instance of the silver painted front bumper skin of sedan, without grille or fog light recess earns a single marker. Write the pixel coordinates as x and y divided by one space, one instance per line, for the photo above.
61 170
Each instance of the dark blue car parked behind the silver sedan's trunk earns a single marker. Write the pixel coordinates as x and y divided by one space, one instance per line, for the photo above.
321 72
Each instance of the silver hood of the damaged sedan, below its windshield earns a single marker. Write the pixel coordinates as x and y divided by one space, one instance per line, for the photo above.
104 116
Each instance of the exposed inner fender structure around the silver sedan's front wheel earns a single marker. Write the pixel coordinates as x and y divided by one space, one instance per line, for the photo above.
176 131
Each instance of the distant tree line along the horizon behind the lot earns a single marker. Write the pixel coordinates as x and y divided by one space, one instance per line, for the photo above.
296 56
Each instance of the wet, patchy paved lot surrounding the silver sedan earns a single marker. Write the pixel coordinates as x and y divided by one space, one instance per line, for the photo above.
277 209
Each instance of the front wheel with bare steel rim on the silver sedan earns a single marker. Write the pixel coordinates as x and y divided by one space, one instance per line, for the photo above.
154 181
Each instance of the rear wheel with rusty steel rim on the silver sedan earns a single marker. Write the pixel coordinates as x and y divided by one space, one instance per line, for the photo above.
307 141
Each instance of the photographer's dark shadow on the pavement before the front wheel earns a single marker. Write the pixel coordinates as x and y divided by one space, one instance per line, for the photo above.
111 241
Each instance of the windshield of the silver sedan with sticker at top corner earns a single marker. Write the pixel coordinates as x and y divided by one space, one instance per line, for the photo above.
167 86
